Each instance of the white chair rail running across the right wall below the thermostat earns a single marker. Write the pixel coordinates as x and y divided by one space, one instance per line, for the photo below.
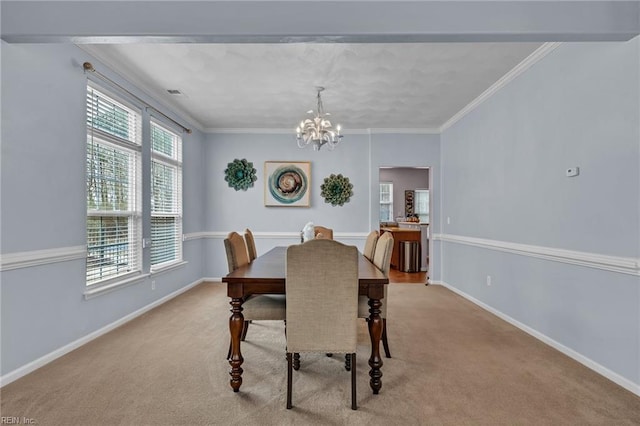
623 265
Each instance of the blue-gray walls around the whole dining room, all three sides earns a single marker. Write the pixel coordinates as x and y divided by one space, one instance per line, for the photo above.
561 252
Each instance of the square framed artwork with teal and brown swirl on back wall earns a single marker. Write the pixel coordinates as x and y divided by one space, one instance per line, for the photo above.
287 183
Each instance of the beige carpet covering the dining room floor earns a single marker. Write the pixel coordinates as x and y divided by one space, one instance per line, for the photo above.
453 364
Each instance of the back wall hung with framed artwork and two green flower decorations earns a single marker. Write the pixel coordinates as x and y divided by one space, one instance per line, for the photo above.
358 157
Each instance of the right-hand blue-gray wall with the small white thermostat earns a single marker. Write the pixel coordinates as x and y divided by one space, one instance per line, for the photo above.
562 252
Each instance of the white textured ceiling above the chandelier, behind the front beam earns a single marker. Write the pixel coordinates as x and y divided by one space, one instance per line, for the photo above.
271 86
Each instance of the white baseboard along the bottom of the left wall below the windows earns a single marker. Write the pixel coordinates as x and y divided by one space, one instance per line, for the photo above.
51 356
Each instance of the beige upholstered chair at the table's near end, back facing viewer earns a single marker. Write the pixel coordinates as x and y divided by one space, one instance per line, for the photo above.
322 303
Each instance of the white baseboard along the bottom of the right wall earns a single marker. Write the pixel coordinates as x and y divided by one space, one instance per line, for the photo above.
589 363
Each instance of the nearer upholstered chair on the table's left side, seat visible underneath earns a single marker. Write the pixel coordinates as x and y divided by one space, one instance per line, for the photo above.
259 306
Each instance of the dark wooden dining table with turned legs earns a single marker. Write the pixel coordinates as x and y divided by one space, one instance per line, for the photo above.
267 275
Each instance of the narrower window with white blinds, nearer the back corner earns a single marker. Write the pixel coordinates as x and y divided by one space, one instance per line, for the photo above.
166 196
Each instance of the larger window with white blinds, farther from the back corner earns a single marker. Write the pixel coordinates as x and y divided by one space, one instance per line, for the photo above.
113 179
